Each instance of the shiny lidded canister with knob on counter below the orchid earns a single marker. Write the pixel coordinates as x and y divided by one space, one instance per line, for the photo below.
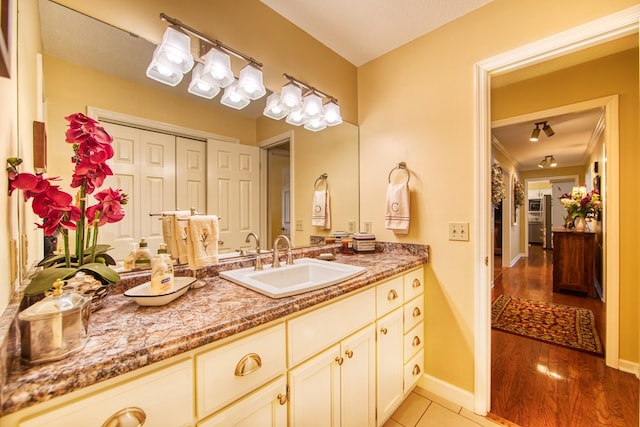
54 327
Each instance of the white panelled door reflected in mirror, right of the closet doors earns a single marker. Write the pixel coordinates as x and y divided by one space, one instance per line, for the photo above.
233 191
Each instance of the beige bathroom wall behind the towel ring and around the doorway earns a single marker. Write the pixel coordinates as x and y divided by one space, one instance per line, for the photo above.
417 104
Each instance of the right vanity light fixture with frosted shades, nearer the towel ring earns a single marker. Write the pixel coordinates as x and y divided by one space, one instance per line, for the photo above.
304 109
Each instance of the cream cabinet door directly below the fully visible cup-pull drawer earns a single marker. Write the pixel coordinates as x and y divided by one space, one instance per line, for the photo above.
264 408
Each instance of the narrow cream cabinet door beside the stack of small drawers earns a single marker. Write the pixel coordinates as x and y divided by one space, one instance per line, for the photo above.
390 364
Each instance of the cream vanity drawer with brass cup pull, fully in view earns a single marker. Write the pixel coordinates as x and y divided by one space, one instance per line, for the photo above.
227 373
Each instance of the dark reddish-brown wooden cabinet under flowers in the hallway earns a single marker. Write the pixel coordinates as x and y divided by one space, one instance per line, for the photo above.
574 266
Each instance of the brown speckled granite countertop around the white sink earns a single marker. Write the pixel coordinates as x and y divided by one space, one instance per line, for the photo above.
124 336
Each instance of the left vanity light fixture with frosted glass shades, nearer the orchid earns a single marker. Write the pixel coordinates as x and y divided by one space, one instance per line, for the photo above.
172 59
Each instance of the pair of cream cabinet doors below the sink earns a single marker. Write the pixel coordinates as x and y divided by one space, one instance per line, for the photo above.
336 387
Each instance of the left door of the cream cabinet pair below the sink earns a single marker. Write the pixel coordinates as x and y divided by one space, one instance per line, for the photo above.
315 391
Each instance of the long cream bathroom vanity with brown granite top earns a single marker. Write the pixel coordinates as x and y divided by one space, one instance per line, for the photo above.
223 355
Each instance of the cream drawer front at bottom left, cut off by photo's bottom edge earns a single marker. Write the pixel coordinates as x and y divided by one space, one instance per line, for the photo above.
165 397
